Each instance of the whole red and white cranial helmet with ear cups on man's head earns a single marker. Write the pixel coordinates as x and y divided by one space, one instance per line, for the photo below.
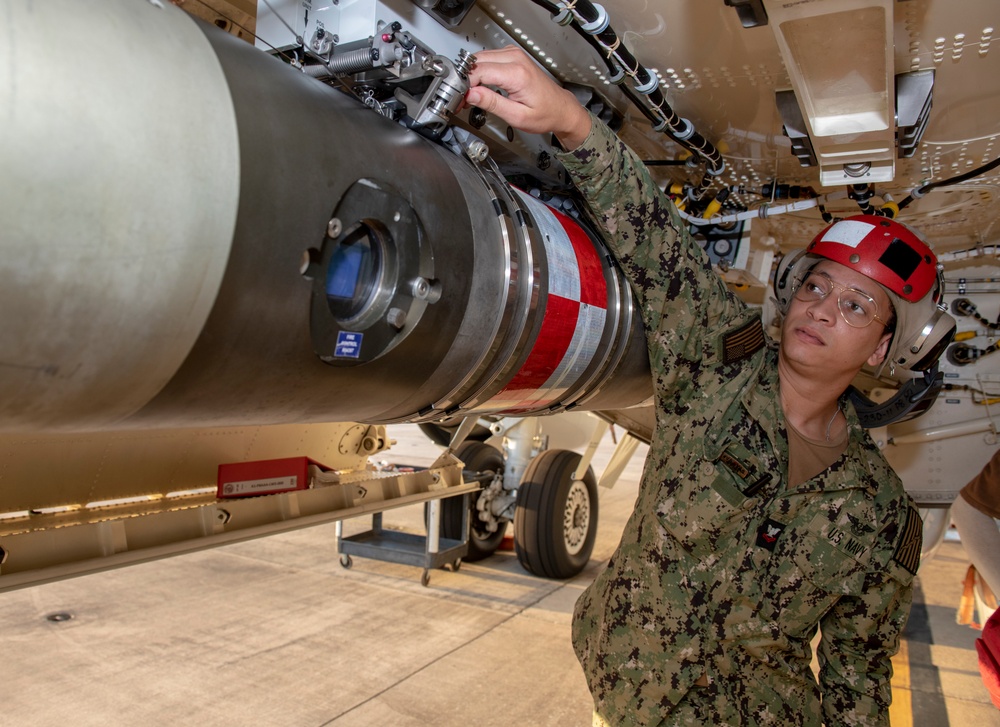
895 257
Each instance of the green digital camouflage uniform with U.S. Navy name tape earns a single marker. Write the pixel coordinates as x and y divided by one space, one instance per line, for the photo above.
723 569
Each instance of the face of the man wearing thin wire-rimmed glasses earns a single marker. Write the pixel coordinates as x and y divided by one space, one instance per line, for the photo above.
816 333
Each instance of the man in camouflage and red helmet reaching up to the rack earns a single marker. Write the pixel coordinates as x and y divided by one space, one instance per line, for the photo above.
765 510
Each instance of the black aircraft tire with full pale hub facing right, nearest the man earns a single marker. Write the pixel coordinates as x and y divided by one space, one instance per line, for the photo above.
555 523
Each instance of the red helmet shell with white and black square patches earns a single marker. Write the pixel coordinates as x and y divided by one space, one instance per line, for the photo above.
885 250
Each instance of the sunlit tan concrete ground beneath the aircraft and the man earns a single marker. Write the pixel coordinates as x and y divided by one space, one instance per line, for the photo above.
275 632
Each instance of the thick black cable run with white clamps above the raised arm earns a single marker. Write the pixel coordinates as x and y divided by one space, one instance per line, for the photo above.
591 20
